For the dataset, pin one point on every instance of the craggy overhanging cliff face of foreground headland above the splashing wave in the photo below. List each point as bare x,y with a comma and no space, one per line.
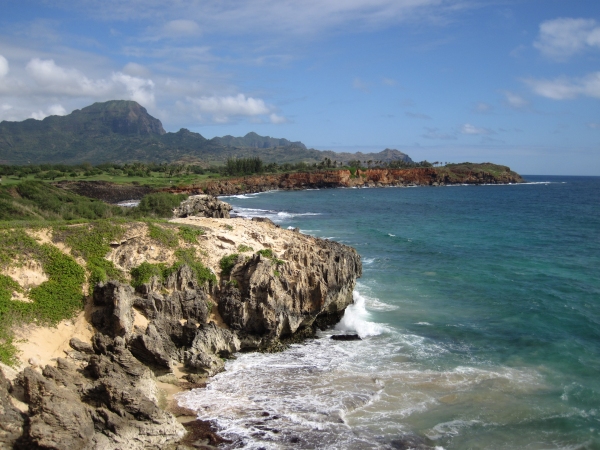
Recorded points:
279,297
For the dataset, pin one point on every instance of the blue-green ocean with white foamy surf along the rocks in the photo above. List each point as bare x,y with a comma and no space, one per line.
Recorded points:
479,312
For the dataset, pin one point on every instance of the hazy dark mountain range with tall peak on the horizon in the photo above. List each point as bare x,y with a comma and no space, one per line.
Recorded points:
123,131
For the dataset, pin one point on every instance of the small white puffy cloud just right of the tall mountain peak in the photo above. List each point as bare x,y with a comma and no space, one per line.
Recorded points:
224,108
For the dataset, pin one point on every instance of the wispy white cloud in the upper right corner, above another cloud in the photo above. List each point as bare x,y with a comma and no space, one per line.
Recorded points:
559,39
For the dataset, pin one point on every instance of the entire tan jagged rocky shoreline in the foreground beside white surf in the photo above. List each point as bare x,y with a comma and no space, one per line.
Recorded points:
104,393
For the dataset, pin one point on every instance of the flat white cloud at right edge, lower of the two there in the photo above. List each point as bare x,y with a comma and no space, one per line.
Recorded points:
564,88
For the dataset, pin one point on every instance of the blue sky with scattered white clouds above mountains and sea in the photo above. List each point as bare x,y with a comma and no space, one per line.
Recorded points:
515,82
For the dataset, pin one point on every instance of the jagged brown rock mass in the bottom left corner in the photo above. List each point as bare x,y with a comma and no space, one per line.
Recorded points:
110,404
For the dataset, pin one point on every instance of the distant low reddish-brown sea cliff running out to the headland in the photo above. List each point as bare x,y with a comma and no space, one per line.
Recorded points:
473,174
